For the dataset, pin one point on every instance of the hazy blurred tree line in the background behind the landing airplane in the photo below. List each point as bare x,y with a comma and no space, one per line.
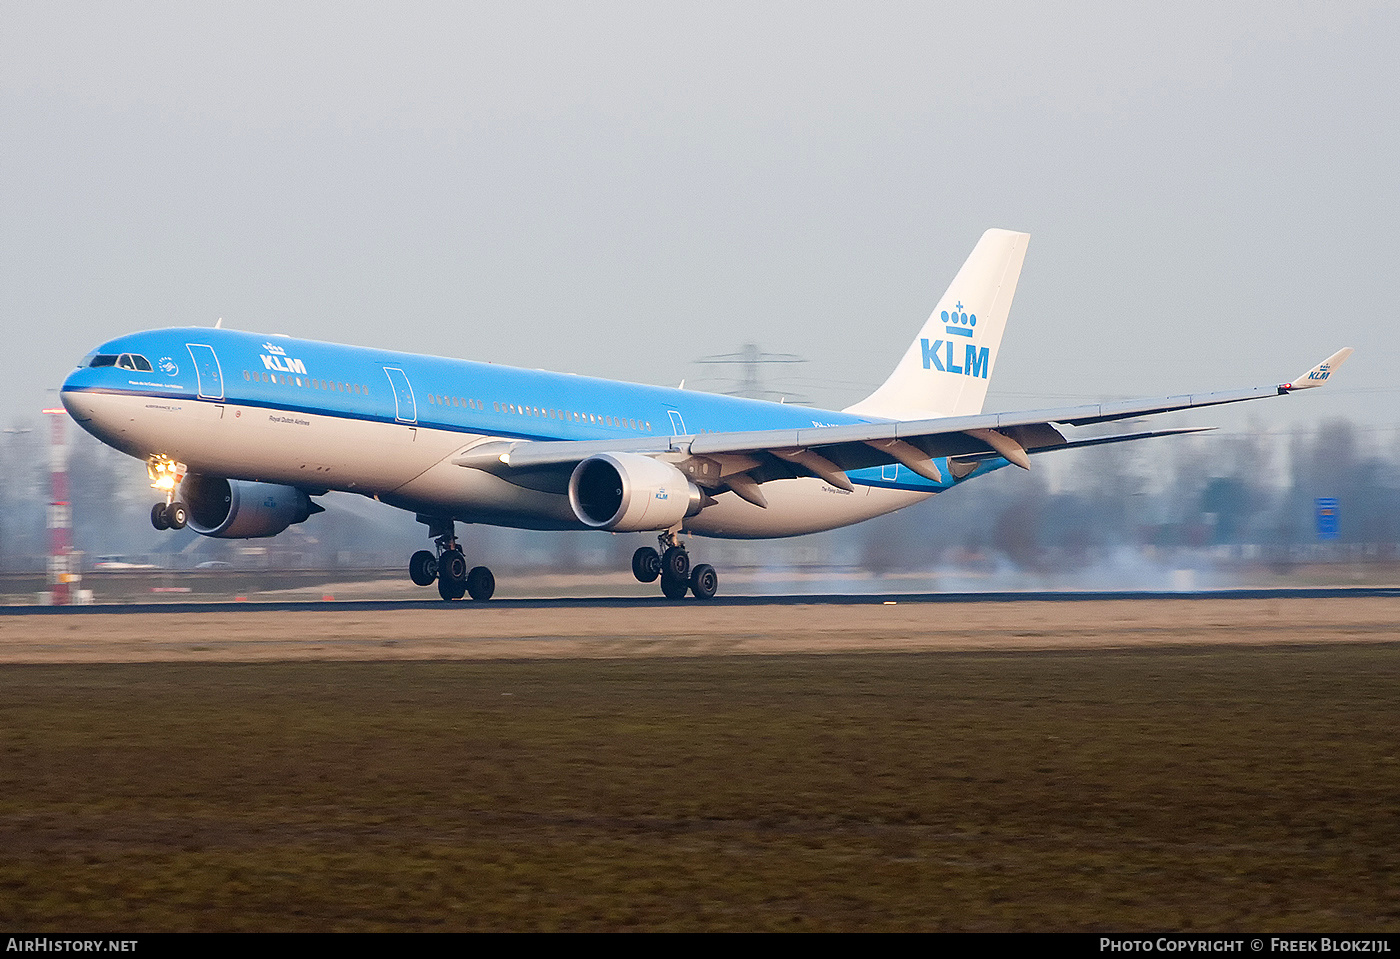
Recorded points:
1192,493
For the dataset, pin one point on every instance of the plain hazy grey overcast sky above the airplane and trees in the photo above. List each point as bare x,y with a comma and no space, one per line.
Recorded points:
618,190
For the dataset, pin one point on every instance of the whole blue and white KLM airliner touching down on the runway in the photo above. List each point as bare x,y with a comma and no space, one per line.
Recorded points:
243,430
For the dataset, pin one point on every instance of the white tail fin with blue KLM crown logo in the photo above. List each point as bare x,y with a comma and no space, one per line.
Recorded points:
947,369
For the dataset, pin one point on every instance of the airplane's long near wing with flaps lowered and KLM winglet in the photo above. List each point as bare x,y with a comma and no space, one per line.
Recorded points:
745,460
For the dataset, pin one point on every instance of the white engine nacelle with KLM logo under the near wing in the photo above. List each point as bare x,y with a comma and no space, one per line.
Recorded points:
626,492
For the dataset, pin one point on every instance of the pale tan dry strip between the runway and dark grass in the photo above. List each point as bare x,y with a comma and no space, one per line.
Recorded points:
477,632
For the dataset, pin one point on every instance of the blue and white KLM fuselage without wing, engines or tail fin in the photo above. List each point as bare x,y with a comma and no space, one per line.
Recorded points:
323,416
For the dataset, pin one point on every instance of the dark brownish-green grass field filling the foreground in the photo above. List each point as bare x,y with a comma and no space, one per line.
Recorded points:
1203,789
